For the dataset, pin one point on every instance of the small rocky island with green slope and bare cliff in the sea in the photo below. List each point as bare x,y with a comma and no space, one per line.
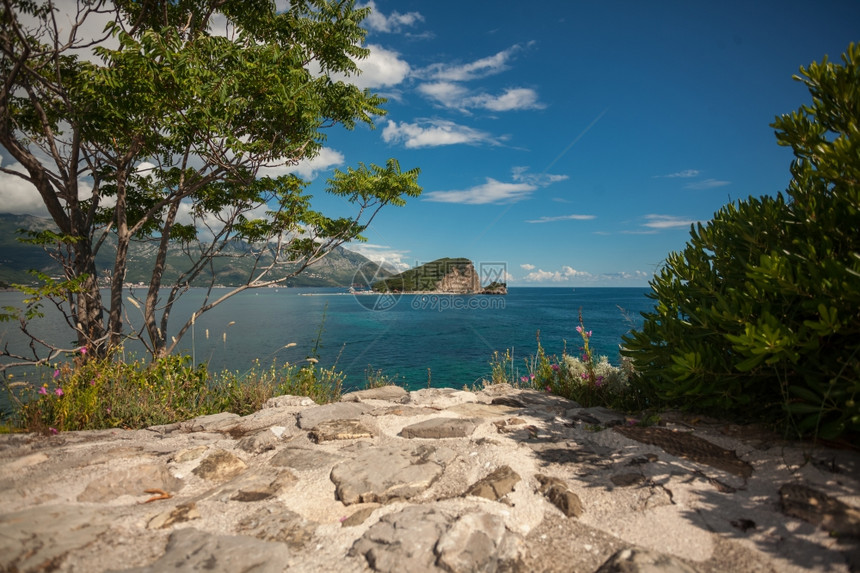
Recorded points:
442,276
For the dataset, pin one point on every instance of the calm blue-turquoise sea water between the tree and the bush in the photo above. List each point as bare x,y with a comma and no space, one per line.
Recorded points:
452,336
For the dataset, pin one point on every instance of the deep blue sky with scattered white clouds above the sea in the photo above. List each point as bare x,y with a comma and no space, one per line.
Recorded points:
573,143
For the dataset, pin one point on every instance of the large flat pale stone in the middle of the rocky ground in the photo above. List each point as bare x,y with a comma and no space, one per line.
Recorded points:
383,473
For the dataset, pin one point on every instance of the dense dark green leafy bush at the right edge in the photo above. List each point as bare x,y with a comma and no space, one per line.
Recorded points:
759,315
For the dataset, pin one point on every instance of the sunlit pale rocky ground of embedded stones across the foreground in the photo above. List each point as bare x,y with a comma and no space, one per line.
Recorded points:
432,480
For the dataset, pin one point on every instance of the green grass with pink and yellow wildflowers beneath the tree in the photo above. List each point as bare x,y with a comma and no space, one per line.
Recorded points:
89,394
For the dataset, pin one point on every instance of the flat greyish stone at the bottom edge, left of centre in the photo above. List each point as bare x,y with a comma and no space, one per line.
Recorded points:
191,550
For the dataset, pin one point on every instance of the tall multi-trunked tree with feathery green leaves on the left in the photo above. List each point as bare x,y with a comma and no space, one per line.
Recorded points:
160,130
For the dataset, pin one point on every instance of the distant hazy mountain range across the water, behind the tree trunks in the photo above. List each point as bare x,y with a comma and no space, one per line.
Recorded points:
341,267
